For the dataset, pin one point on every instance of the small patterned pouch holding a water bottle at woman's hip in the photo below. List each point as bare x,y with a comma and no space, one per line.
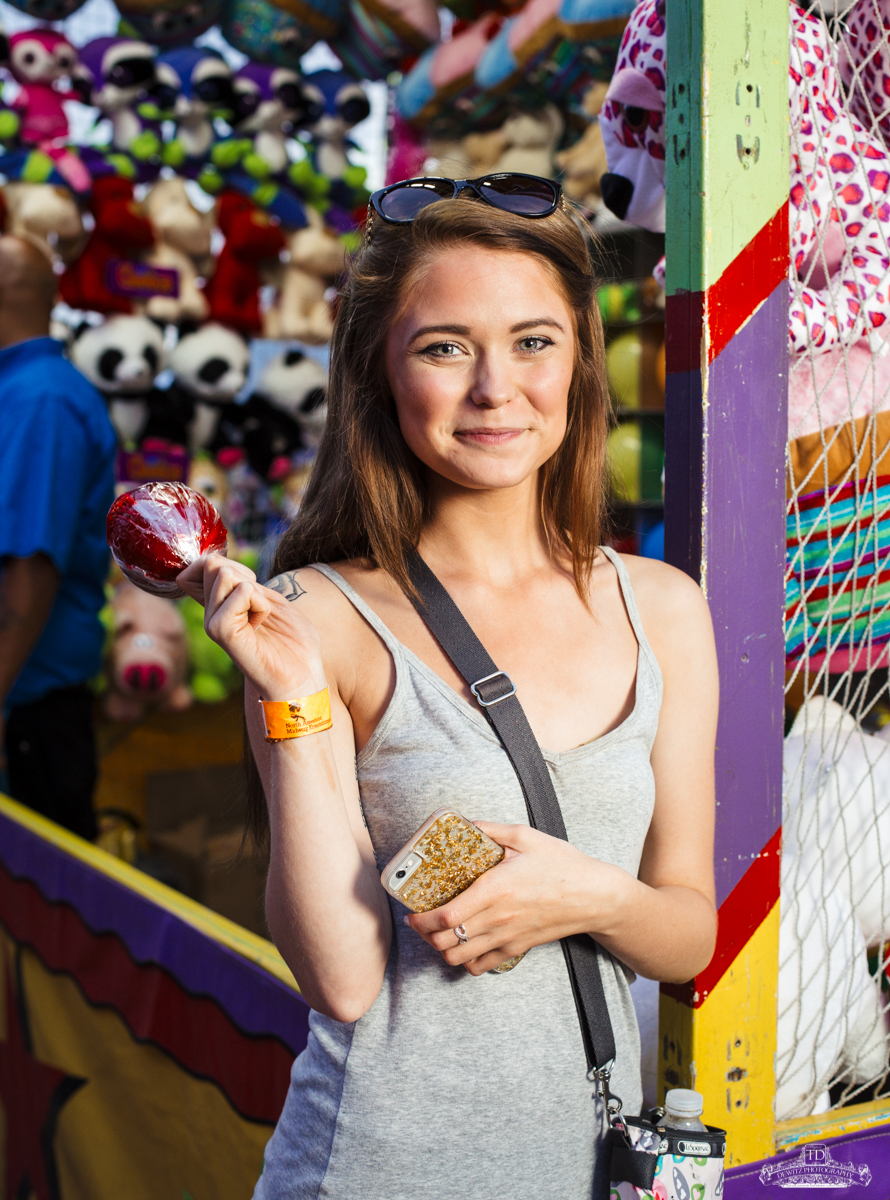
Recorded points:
688,1165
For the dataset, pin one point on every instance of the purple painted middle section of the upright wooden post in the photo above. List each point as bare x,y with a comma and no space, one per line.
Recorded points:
725,526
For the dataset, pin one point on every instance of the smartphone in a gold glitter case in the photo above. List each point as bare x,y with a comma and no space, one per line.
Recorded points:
440,862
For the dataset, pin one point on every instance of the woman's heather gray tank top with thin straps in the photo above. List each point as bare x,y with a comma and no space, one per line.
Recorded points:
454,1088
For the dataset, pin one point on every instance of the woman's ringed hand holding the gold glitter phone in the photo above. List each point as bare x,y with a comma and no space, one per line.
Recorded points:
544,890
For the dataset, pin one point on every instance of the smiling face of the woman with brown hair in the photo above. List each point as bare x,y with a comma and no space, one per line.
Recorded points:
480,363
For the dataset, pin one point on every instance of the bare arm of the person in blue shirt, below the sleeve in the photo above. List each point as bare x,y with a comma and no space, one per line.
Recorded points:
28,589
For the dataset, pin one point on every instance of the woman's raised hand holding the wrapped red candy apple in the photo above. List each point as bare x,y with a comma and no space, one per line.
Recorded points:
266,635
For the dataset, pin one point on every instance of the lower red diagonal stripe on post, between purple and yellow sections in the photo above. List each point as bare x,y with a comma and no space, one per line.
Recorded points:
739,917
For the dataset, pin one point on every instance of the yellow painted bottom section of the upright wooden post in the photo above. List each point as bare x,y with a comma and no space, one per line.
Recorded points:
727,1048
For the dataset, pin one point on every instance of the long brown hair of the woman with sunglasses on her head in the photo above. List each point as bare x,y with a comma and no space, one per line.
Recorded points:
369,495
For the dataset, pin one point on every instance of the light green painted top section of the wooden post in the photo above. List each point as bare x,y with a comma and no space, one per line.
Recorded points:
726,134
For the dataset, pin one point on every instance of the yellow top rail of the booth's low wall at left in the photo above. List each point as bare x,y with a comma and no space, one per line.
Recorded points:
257,950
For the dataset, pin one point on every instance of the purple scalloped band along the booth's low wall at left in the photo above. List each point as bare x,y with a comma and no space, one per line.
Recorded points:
256,1001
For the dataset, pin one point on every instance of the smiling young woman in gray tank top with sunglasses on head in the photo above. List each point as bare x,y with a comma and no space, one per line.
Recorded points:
468,418
